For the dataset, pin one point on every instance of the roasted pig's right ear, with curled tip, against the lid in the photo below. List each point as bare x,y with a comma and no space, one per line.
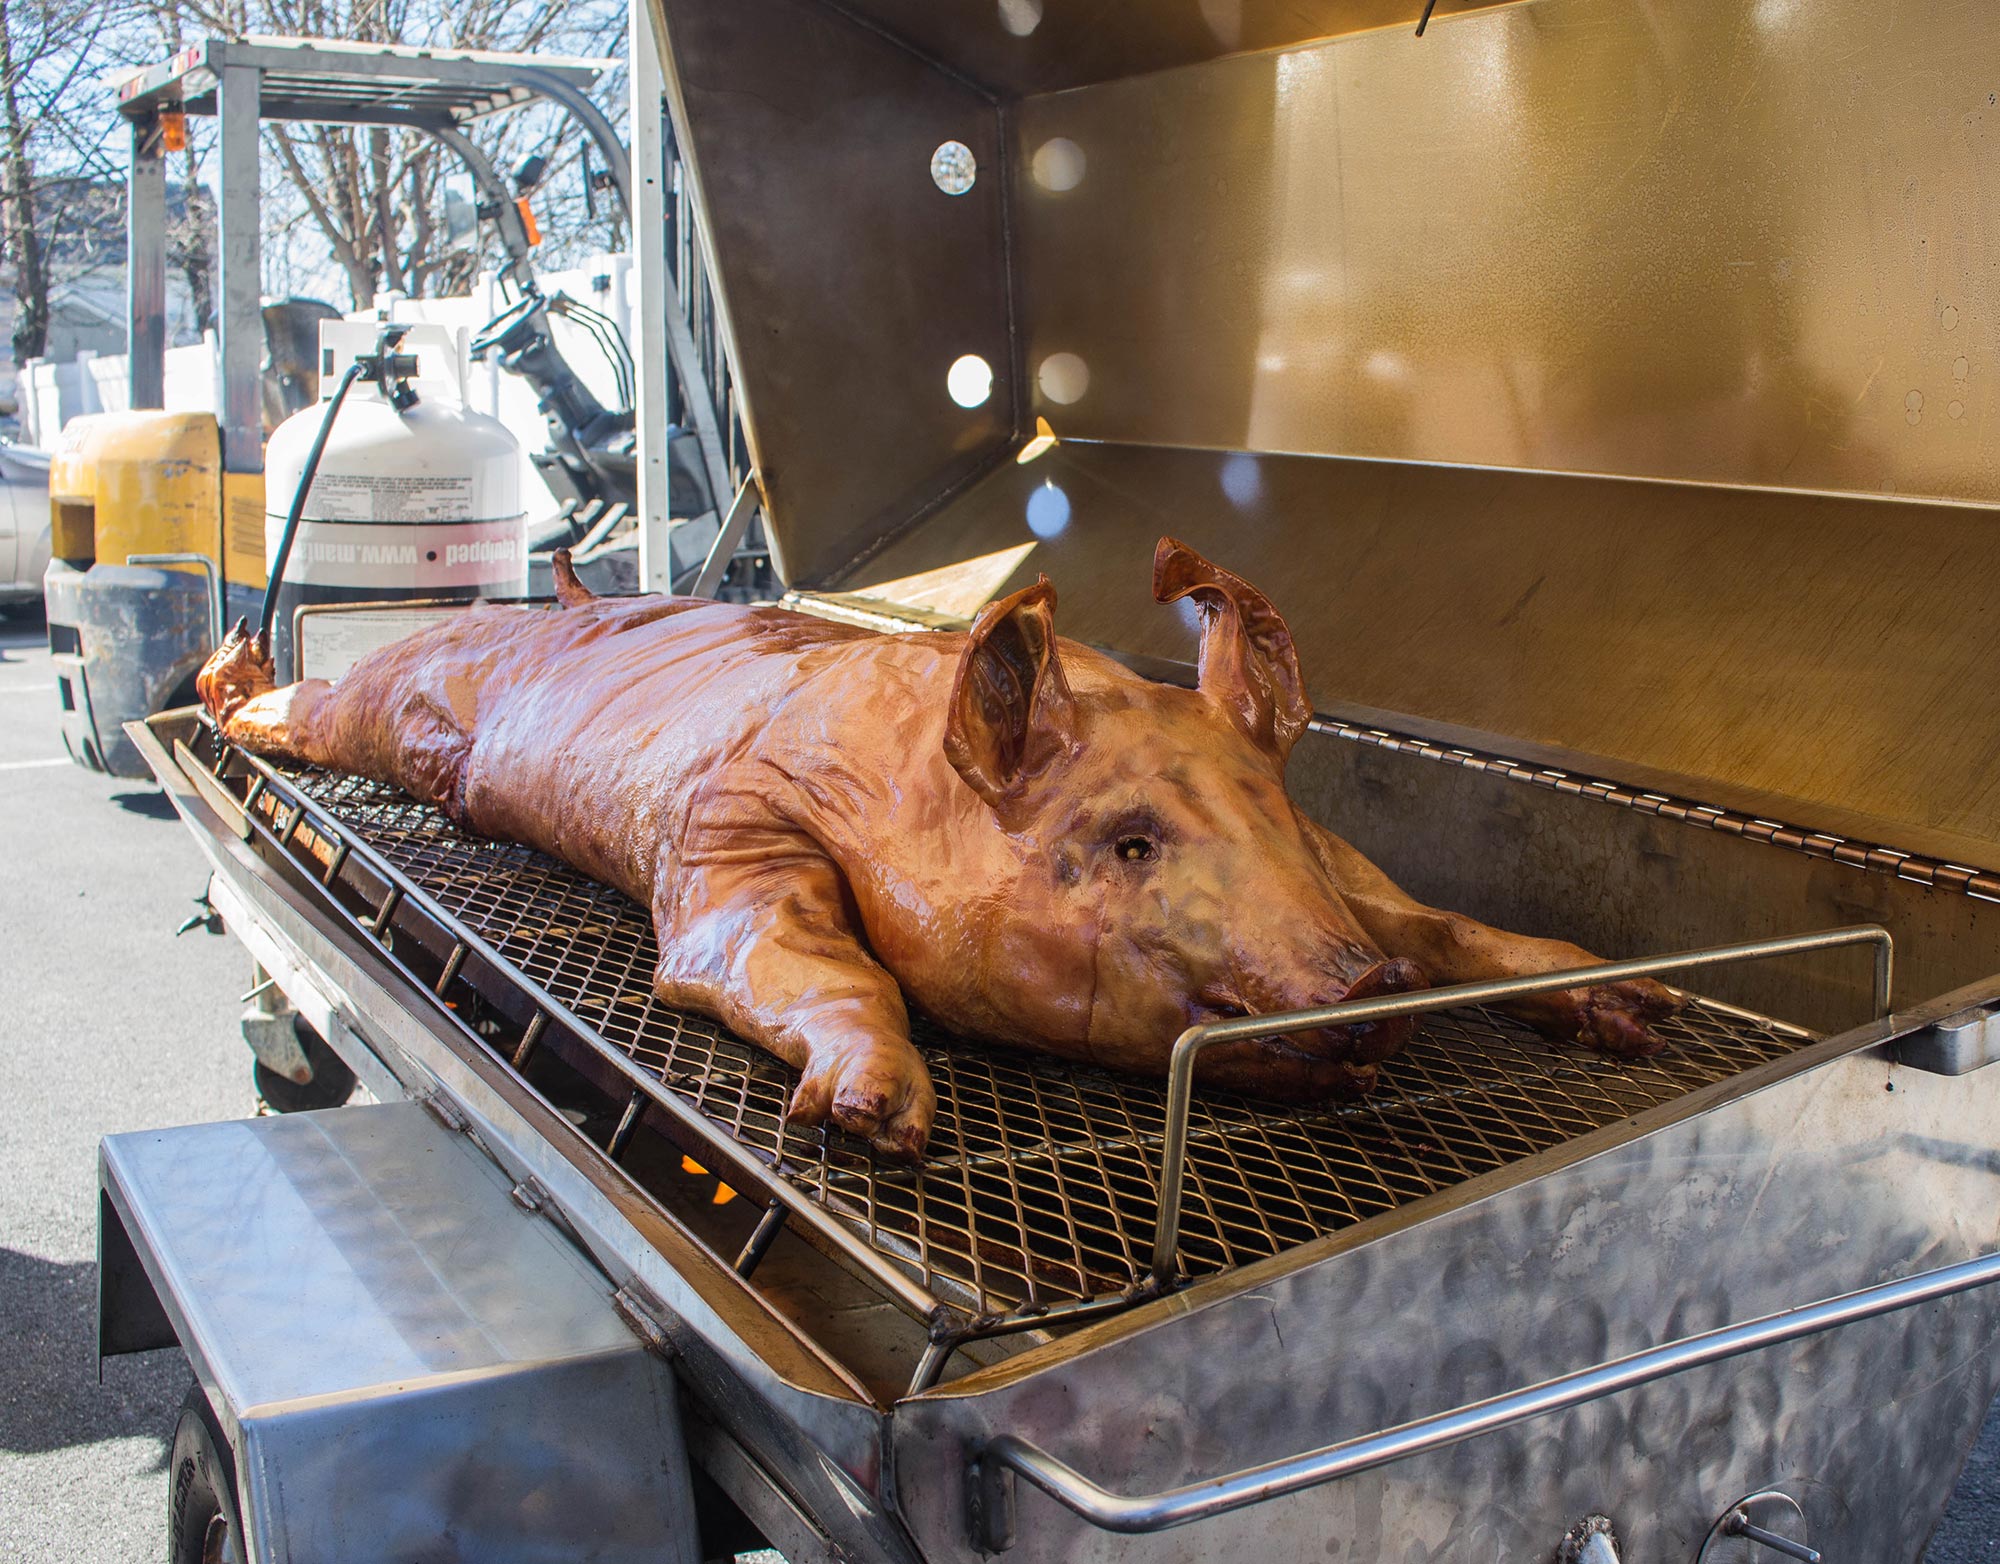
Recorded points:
1249,661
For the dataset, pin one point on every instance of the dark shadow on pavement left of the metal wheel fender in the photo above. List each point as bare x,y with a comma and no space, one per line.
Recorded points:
49,1377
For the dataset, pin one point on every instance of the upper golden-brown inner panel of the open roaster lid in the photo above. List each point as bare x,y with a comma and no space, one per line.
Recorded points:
1621,287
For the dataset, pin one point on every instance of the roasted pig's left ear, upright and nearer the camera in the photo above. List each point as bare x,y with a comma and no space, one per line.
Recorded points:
1011,707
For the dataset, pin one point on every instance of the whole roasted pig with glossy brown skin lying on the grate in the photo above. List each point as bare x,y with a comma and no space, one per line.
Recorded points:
1011,831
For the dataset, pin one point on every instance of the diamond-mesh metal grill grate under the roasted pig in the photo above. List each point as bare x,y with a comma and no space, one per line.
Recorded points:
1041,1181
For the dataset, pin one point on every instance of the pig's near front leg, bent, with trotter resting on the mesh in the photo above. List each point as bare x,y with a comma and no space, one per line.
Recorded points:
763,941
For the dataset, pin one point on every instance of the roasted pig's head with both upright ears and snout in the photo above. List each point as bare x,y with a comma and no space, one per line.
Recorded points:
1155,873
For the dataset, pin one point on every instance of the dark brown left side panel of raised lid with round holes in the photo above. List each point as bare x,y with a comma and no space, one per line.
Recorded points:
819,185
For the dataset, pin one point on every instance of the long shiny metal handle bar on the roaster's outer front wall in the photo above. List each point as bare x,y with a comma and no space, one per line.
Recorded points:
993,1501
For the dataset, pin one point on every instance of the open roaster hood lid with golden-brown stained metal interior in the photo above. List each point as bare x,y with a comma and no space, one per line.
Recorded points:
1585,381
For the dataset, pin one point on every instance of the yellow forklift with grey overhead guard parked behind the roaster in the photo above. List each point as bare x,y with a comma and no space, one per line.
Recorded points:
159,517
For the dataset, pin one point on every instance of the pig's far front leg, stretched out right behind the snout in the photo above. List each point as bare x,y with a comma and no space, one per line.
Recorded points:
1615,1019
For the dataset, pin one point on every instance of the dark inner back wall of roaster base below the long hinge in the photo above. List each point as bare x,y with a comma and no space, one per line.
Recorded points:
1557,849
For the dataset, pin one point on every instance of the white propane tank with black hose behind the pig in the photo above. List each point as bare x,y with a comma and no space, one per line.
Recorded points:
417,503
